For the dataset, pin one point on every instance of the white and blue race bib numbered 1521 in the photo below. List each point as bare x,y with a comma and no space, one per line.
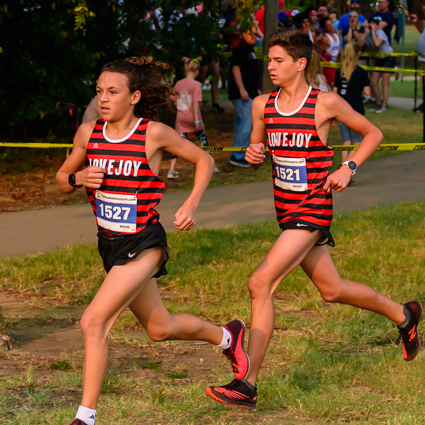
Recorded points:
290,173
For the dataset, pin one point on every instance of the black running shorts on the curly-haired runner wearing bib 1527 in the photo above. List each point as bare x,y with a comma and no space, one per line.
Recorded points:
118,250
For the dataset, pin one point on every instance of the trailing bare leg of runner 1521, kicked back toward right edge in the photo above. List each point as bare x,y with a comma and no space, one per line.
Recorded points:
319,267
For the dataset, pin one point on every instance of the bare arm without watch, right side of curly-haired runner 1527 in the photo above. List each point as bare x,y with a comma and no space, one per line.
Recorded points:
161,136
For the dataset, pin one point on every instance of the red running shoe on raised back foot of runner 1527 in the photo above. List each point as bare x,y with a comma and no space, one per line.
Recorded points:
236,352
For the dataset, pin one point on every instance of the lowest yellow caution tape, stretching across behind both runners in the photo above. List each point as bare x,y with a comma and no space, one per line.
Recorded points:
384,147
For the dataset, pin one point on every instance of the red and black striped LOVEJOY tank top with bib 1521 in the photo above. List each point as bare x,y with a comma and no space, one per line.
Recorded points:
300,162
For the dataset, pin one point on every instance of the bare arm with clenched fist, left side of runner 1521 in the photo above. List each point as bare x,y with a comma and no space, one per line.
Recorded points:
255,151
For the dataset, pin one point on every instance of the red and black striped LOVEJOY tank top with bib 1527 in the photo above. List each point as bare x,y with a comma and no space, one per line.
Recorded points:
130,191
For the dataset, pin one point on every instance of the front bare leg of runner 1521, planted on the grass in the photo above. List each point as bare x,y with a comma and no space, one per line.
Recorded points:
286,254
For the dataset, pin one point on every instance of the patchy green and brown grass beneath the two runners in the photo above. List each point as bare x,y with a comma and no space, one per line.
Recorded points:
326,363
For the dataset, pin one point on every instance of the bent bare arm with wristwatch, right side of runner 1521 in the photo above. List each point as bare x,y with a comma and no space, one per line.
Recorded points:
332,106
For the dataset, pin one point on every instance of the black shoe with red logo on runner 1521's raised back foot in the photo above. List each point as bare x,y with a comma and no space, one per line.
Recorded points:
410,334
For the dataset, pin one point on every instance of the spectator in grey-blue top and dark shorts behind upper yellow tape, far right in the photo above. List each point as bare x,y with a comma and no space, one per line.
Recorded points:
377,41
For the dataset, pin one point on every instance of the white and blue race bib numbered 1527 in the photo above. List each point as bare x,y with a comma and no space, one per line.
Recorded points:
116,212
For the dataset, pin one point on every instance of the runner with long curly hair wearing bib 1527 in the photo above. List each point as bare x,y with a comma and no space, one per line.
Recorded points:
124,150
